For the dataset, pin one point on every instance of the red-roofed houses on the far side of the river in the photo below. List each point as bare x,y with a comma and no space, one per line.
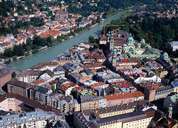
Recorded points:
63,23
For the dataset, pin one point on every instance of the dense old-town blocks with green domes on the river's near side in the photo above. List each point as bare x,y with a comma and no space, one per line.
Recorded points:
102,89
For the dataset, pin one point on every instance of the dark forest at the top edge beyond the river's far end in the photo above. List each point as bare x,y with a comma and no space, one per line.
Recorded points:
86,8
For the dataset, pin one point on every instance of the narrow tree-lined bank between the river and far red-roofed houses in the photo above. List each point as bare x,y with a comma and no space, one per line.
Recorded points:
53,42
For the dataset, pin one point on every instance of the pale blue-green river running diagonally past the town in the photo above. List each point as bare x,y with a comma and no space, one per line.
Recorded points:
54,51
